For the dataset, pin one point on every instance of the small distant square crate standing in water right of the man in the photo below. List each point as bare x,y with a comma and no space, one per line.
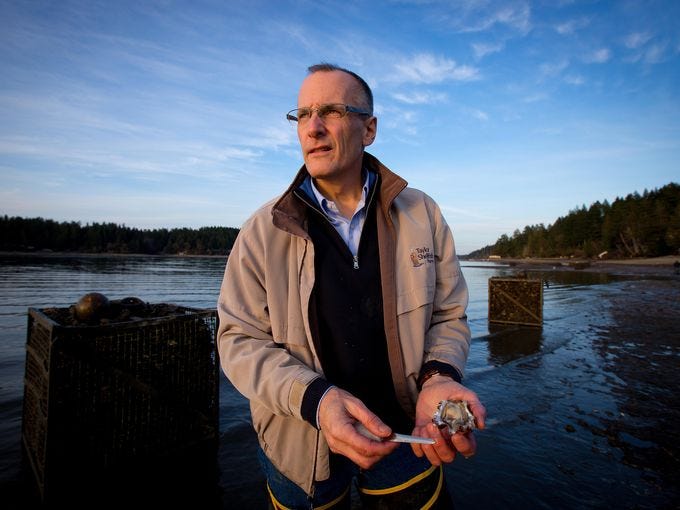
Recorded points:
516,301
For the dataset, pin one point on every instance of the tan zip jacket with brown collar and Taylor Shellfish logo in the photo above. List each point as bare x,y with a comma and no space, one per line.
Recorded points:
264,338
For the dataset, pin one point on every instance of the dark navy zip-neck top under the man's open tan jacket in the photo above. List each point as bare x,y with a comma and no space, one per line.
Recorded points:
347,314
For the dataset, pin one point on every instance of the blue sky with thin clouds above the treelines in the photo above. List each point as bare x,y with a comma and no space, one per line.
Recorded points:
170,114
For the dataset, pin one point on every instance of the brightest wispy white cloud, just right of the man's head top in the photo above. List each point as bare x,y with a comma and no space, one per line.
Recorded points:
428,69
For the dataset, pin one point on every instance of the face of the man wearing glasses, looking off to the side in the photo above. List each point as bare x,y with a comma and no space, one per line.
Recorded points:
333,148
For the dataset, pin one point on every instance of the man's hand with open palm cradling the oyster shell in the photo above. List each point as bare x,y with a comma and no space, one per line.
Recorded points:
436,389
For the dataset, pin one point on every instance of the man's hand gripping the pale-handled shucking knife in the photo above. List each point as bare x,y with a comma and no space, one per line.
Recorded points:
339,411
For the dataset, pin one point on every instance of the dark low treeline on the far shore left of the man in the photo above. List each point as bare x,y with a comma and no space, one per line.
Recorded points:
37,234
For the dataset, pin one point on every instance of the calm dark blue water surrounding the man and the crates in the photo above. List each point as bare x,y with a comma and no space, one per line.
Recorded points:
552,393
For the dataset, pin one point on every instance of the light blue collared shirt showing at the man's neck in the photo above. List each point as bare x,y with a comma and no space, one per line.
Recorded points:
349,229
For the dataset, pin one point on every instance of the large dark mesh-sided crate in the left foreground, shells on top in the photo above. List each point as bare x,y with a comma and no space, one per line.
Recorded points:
101,401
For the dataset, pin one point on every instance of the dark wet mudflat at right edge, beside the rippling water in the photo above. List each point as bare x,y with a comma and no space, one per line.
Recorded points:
642,349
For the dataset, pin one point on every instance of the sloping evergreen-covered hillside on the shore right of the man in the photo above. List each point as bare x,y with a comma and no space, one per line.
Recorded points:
646,225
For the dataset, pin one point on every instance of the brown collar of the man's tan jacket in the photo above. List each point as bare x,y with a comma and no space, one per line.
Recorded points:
289,214
